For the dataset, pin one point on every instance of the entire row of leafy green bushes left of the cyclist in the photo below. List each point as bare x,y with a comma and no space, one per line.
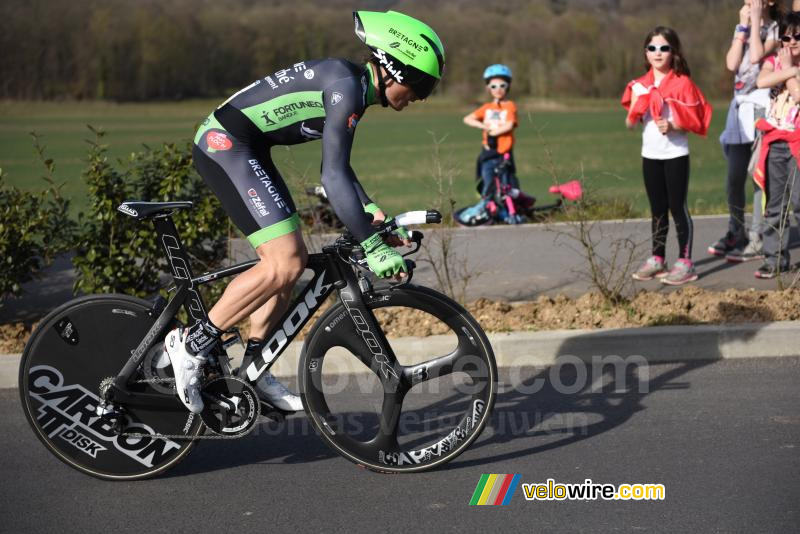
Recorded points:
114,253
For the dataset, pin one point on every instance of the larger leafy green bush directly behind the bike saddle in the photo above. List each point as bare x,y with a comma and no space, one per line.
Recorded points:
119,254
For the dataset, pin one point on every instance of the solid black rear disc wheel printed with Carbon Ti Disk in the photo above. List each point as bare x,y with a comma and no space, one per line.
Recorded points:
70,352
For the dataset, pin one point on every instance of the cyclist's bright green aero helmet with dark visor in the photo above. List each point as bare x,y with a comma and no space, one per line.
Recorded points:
408,49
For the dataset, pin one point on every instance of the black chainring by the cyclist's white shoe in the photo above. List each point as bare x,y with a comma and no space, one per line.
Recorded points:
230,406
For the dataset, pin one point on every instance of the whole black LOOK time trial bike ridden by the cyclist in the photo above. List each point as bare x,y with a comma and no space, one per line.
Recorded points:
96,390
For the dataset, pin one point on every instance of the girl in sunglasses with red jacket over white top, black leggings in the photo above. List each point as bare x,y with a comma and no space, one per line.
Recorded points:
669,105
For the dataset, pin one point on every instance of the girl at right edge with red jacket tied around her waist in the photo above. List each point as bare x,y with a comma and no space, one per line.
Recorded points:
777,168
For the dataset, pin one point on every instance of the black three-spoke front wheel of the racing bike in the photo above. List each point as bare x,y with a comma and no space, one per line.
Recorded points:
432,417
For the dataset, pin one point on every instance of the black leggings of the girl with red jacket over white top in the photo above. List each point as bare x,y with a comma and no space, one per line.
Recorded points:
667,185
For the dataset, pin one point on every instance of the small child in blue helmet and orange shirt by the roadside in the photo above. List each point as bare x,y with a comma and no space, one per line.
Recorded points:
497,119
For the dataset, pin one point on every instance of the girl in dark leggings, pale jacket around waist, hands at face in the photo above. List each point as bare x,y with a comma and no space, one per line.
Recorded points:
754,38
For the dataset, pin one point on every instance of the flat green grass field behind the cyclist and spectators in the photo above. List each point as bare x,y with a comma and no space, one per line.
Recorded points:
393,153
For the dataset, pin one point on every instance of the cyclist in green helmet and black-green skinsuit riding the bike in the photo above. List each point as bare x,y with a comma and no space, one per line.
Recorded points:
319,99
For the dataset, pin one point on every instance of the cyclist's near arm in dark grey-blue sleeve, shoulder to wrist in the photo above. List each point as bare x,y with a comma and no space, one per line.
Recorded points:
341,185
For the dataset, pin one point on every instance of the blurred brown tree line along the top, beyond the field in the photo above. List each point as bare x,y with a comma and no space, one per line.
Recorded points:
134,50
